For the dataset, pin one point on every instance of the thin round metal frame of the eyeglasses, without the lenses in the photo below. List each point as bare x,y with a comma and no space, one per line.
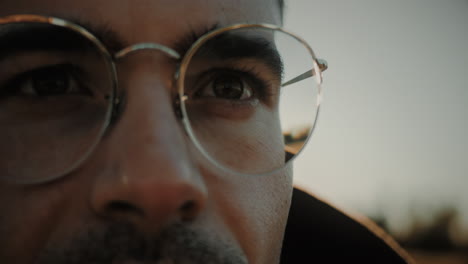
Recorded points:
319,66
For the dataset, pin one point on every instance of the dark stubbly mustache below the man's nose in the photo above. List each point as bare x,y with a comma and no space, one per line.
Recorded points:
122,242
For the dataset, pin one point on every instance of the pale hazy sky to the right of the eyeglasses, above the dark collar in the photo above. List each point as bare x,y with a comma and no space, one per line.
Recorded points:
392,134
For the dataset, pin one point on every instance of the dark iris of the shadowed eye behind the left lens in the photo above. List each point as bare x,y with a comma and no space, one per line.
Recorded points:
51,82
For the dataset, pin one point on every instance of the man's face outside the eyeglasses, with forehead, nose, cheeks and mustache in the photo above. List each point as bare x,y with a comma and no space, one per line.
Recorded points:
143,196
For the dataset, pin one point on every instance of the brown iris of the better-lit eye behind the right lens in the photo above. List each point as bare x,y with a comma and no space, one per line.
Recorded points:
228,87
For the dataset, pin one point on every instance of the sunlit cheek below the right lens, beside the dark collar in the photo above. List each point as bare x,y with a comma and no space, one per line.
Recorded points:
255,209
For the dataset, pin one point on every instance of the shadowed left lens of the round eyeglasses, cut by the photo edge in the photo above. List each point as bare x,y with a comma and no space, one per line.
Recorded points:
55,87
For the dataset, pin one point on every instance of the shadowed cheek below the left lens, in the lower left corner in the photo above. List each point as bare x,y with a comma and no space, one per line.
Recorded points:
32,215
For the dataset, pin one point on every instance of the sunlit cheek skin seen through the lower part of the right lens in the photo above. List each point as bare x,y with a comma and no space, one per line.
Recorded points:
251,146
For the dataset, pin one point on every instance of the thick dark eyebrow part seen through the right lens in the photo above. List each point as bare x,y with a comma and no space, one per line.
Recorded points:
229,46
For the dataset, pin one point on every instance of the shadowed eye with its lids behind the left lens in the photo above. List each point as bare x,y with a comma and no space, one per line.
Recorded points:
45,87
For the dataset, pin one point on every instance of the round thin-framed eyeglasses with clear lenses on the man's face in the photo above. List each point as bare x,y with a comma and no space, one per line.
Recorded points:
248,96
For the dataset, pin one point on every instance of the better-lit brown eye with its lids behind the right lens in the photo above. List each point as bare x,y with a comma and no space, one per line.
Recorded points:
231,90
